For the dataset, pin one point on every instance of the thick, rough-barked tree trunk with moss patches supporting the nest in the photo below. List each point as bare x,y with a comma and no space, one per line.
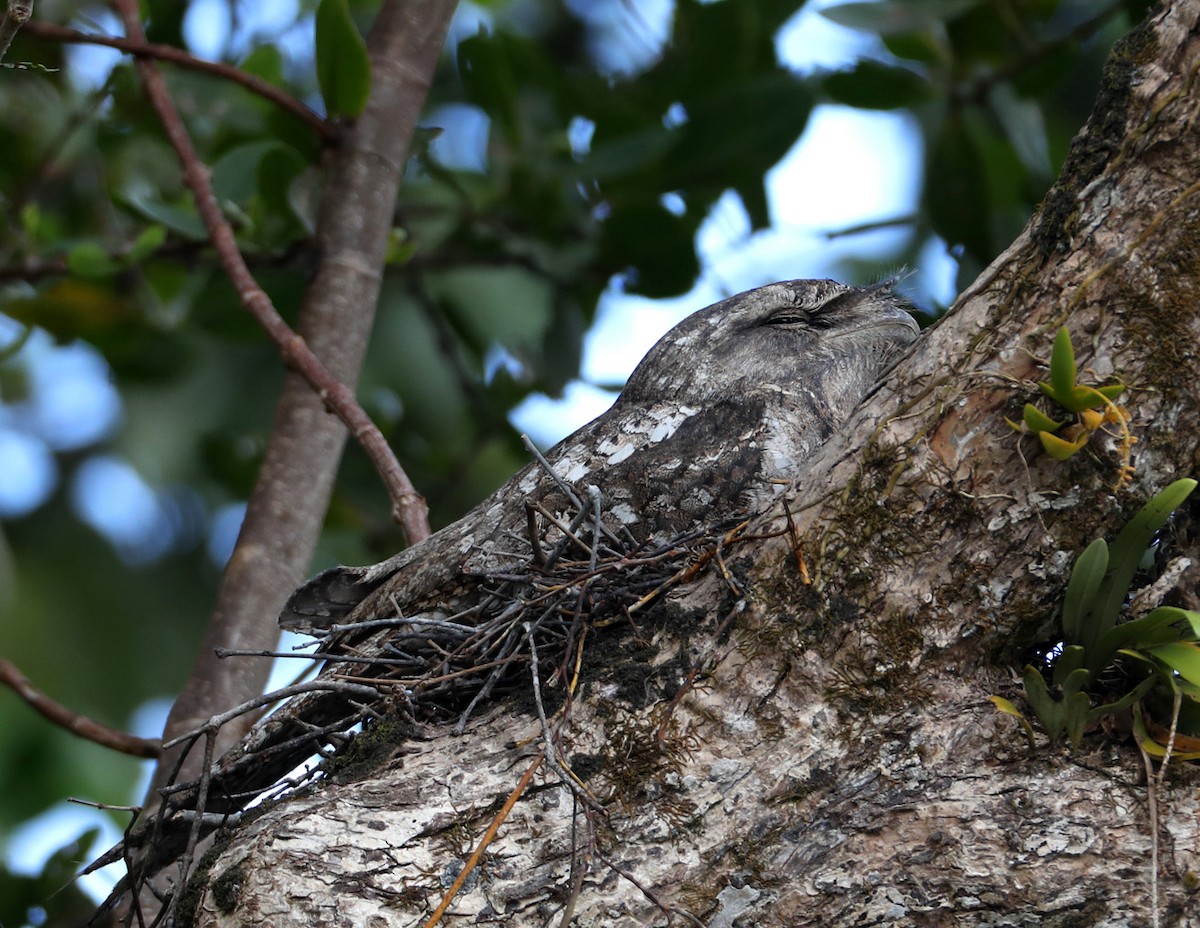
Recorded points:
838,763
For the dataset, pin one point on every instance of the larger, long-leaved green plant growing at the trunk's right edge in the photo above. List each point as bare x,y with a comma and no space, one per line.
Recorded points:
1165,642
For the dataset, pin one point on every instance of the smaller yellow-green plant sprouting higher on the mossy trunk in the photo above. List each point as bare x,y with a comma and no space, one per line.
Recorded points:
1093,408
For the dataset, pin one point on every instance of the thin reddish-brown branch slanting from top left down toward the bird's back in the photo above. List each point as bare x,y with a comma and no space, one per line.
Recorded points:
409,506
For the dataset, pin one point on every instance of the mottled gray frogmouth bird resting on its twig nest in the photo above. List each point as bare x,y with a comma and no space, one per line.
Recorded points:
734,398
